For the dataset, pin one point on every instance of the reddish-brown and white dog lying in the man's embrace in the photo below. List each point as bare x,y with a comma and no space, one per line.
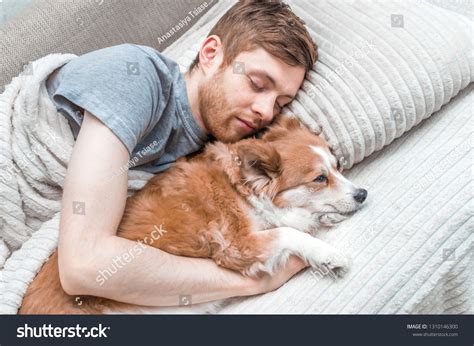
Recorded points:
224,204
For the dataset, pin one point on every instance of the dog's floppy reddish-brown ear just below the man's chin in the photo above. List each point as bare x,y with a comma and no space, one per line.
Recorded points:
260,165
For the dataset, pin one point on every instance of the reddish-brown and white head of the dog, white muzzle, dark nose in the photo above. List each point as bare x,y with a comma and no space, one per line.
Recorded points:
294,167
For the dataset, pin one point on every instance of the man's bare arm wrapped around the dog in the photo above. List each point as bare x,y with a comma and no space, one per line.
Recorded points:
93,205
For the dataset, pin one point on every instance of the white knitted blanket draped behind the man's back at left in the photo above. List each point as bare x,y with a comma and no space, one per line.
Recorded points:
35,145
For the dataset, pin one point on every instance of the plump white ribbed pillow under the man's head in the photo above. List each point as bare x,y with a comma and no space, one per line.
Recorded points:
383,67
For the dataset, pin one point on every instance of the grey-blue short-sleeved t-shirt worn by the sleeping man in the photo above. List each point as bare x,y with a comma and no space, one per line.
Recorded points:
139,94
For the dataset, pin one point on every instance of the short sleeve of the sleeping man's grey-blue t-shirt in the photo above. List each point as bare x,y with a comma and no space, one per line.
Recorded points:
123,86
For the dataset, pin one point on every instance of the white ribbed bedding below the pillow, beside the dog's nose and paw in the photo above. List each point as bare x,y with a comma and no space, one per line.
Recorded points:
412,244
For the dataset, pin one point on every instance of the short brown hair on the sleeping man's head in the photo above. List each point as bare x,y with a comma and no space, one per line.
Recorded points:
269,24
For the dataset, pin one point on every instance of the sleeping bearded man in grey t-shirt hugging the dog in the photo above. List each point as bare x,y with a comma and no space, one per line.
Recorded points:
135,109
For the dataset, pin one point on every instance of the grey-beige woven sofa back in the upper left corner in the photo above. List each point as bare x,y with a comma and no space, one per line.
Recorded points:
80,26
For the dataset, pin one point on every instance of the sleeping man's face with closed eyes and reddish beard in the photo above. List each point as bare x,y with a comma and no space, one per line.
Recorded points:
244,97
